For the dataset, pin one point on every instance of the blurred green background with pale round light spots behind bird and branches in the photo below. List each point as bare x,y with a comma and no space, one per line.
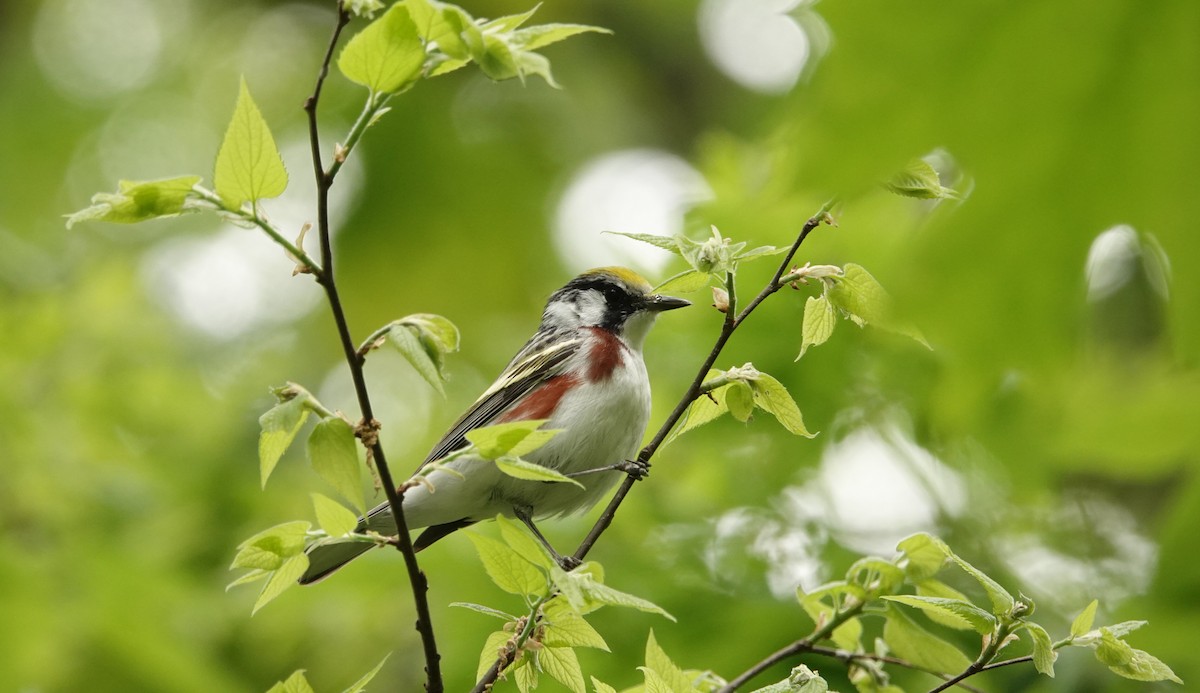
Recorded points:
1052,435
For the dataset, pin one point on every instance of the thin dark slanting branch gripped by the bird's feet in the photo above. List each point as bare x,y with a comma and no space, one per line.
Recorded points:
728,328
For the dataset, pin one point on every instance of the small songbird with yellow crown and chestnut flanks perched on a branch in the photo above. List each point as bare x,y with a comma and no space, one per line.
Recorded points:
584,372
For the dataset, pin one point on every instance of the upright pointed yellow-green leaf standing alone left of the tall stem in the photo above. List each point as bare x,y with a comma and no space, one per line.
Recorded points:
249,166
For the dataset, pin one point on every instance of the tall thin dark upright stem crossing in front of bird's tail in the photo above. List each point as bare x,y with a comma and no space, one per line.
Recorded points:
369,430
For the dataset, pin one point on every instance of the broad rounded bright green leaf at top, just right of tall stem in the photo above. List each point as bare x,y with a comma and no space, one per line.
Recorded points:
386,57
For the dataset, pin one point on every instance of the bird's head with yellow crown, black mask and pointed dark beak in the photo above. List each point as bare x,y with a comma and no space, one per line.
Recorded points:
615,299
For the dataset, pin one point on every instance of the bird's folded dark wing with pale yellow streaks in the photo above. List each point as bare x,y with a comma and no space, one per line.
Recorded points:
542,359
